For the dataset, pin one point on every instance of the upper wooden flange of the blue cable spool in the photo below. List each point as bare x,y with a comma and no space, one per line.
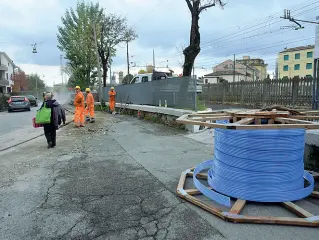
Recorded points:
253,119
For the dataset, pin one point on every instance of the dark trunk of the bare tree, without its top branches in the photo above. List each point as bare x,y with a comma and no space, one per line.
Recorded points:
193,49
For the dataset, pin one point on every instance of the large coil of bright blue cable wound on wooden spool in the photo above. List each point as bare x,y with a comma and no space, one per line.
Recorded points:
256,165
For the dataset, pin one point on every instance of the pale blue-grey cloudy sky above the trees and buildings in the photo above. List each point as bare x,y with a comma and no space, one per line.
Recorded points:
243,27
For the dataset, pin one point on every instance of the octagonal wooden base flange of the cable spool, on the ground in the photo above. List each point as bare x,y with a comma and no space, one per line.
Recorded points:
233,215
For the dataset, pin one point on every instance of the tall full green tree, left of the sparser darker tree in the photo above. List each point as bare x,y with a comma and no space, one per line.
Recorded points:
75,39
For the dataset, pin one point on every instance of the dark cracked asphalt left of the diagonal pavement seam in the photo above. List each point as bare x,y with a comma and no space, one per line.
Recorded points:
89,187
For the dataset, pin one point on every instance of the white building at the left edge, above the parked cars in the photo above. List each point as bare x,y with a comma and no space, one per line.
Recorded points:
6,71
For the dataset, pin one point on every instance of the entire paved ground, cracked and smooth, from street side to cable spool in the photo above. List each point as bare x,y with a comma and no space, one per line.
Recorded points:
115,179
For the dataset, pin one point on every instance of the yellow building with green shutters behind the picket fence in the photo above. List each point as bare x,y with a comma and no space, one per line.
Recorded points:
296,62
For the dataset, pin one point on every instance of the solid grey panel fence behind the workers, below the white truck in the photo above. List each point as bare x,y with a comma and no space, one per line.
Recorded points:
177,92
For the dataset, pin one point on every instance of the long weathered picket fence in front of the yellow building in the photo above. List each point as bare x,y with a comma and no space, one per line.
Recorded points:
287,92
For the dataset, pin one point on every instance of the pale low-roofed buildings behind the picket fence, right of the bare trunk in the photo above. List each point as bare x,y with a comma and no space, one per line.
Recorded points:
226,71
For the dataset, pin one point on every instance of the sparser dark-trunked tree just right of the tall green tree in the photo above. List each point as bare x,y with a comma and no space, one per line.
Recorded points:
112,30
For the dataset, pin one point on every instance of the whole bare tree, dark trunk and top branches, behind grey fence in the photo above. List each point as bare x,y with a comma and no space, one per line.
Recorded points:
196,7
